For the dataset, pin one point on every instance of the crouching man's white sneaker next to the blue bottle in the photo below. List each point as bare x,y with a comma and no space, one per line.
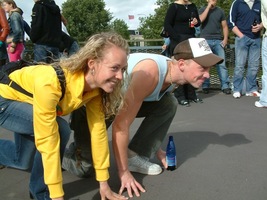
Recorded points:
142,165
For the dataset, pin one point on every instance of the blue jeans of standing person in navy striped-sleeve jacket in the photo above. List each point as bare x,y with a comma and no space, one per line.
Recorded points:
246,49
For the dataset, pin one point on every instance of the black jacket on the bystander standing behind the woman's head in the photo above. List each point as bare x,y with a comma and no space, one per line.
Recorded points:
46,23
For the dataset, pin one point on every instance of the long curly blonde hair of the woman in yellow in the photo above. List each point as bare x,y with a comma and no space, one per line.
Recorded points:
95,48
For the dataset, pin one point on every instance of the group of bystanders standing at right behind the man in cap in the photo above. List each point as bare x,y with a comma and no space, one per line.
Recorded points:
244,21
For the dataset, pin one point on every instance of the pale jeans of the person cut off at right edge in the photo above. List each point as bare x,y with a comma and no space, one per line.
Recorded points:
263,97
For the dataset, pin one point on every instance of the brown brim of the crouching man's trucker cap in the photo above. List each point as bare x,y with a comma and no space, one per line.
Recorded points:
208,60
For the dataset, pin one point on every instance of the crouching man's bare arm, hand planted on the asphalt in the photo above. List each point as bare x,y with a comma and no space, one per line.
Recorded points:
136,93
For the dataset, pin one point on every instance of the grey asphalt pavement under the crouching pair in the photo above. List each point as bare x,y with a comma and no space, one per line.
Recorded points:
221,147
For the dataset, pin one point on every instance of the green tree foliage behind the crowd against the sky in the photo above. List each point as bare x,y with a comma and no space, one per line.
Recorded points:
88,17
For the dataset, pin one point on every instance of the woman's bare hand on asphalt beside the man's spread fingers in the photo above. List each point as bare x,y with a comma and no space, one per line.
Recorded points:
107,193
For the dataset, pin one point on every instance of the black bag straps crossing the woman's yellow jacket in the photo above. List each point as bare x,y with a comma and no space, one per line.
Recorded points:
4,78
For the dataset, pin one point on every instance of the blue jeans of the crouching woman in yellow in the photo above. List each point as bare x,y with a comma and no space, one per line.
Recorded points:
21,153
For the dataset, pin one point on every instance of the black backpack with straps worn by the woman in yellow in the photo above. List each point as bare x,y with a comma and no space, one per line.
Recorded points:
10,67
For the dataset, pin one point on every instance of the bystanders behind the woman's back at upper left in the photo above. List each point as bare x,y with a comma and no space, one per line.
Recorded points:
47,32
